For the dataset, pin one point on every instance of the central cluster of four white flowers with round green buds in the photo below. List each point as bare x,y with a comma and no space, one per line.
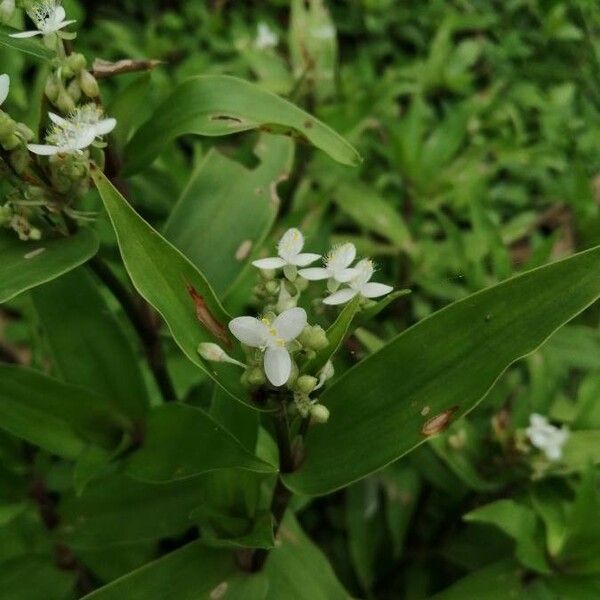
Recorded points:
281,343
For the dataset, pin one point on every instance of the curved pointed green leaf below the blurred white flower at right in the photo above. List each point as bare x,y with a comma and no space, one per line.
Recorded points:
520,523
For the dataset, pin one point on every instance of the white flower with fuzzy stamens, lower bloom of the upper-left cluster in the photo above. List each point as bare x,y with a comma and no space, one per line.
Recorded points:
76,133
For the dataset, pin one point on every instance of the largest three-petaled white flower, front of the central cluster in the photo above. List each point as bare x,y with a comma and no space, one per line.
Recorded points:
272,338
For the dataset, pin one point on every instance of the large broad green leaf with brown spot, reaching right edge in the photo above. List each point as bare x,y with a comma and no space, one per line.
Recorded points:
438,370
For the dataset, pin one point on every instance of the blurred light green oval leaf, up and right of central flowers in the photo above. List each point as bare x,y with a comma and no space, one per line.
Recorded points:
371,212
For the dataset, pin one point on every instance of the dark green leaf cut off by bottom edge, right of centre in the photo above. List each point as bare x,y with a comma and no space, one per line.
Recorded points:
497,581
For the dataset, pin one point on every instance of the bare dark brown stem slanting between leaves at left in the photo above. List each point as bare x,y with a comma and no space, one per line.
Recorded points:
142,319
